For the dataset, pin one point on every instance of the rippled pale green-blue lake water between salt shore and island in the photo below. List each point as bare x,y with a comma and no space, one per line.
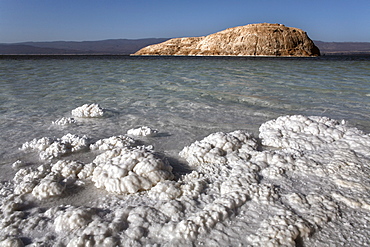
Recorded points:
179,95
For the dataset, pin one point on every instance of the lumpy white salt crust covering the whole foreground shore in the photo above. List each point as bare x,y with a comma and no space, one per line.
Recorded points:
291,185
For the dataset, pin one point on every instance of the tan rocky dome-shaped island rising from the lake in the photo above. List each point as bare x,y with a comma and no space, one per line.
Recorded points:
251,40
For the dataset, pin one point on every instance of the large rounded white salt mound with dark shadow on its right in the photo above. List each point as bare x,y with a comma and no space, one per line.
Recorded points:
128,170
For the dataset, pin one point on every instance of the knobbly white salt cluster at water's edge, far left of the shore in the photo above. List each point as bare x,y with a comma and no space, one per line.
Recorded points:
50,148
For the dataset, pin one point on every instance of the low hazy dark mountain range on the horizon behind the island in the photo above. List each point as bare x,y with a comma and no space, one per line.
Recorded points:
130,46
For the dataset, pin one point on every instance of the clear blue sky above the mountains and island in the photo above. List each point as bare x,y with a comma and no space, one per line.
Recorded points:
79,20
